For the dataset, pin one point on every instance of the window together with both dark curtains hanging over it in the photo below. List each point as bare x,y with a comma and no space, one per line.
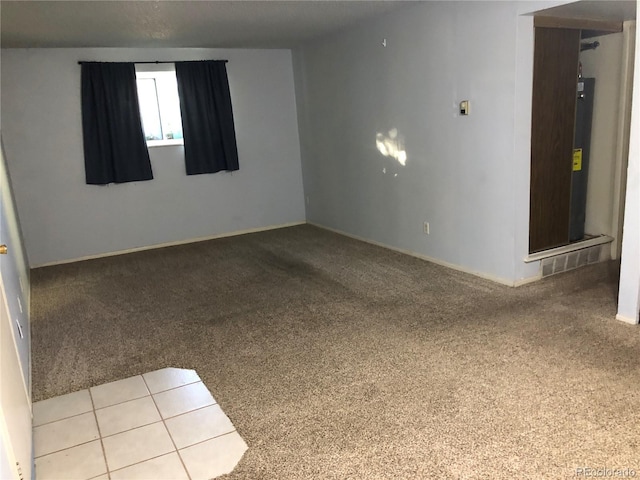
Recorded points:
116,139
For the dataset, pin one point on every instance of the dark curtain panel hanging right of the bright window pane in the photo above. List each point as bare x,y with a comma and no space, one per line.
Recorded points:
207,117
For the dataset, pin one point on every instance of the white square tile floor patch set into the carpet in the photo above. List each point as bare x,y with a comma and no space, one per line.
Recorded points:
162,425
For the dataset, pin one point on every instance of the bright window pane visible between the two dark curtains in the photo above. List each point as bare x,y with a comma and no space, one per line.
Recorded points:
159,104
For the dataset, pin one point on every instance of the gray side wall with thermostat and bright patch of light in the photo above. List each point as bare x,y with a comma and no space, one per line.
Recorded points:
467,176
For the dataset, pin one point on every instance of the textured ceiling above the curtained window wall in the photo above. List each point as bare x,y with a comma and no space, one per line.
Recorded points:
257,24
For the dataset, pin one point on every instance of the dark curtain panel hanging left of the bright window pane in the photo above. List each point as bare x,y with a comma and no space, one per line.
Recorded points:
115,150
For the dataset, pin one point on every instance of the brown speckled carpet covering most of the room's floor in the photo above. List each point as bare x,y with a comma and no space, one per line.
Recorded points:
338,359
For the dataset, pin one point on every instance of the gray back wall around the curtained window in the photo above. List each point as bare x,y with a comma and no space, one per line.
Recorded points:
63,218
